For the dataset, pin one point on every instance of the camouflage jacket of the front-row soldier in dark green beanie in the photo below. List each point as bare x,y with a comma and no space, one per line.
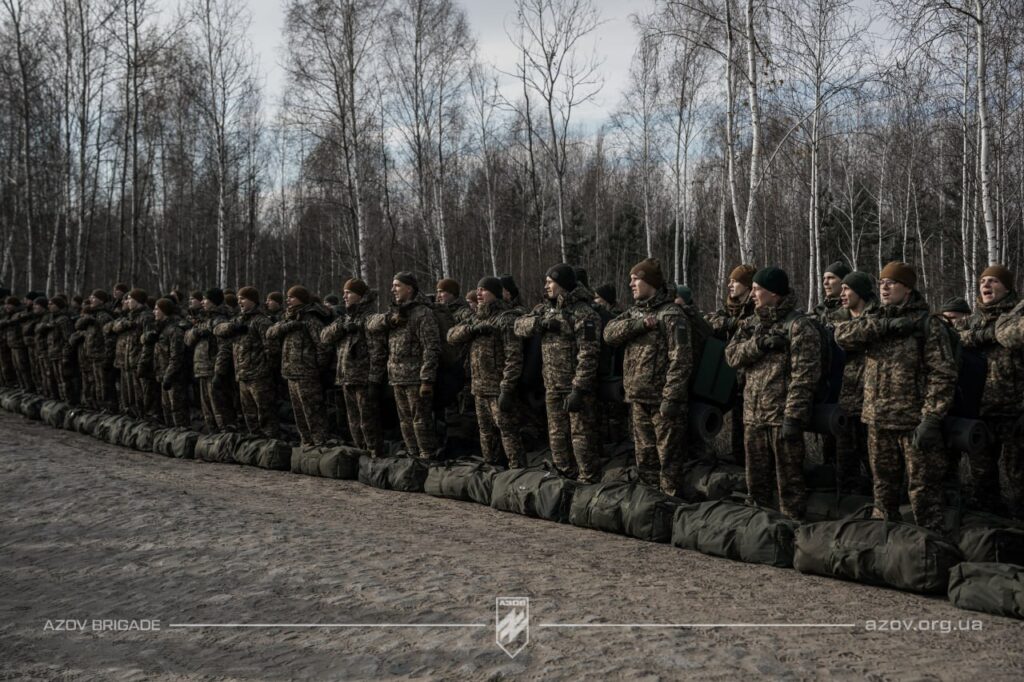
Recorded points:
780,385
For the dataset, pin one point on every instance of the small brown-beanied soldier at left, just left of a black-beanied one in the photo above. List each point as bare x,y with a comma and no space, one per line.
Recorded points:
169,361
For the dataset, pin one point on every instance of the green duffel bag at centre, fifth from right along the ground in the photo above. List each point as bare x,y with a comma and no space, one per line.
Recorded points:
537,492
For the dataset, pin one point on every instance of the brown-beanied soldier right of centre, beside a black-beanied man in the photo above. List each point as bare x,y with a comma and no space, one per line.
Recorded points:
657,375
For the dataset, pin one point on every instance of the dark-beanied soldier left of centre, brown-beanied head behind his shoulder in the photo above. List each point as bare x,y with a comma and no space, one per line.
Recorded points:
414,355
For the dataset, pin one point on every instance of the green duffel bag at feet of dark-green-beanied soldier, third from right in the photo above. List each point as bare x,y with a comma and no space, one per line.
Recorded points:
735,531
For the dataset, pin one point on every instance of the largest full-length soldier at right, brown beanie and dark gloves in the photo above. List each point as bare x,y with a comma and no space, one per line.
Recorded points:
910,379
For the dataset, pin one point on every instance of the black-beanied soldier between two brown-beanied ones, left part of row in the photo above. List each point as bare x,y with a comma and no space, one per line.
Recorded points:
216,397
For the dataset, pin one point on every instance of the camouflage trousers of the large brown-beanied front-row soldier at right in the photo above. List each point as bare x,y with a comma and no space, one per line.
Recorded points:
891,452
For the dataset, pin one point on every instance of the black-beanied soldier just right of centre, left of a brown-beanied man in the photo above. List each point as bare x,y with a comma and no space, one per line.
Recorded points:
570,331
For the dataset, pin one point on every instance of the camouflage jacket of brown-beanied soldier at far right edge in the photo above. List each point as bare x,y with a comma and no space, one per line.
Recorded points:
1005,379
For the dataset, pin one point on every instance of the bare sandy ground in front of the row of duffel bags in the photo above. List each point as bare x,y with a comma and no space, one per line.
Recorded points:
93,532
